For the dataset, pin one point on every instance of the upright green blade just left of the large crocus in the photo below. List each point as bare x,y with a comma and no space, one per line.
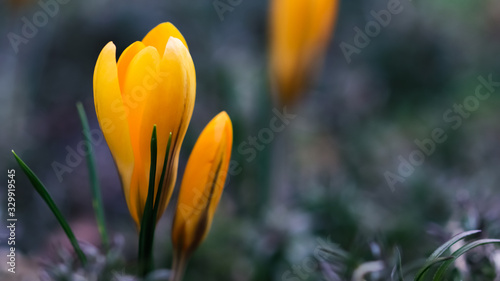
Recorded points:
94,182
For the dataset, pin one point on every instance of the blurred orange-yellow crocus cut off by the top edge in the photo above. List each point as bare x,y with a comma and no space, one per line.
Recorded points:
300,32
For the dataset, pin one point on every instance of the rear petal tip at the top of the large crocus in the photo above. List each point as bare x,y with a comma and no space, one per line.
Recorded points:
159,36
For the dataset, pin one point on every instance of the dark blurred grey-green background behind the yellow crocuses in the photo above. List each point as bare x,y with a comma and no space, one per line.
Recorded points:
321,178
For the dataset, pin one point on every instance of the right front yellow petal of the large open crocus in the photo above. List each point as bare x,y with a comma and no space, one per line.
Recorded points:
170,108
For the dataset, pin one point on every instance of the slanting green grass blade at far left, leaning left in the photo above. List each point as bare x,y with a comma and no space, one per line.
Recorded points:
40,188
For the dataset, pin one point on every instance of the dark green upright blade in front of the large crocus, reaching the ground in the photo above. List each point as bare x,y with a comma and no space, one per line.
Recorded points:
145,236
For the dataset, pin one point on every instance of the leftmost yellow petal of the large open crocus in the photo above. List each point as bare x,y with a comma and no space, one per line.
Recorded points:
111,114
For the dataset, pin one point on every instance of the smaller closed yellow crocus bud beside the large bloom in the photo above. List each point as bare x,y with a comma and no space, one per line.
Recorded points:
202,184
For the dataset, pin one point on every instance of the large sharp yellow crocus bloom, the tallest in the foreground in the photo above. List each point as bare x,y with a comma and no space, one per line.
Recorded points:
154,82
